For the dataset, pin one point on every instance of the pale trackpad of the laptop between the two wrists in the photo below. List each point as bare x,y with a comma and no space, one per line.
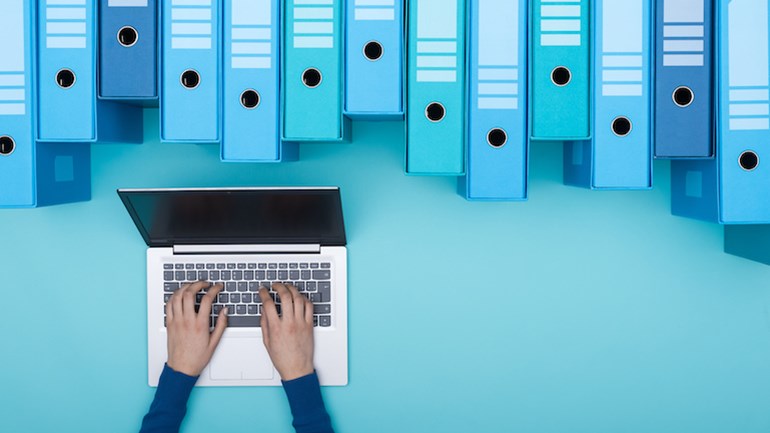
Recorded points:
241,358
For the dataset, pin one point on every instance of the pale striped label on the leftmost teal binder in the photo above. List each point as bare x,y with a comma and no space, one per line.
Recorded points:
313,24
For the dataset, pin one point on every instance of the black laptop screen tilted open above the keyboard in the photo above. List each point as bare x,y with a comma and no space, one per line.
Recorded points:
167,217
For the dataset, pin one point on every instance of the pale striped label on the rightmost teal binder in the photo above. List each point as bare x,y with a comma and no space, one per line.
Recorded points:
560,23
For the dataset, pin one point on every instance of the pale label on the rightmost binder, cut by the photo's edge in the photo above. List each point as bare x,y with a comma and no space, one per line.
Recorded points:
748,67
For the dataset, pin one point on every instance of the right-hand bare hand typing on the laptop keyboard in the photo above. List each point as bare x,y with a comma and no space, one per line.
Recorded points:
289,338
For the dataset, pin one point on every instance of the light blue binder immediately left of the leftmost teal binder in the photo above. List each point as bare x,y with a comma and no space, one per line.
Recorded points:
251,111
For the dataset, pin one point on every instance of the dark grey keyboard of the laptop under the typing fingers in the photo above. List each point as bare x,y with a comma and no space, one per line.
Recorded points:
242,282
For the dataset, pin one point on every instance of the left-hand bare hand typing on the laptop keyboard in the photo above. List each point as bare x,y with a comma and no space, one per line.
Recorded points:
190,343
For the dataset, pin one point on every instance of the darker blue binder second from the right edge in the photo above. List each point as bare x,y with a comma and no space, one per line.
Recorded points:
684,91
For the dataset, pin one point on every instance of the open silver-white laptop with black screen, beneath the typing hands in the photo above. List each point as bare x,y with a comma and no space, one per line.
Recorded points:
246,238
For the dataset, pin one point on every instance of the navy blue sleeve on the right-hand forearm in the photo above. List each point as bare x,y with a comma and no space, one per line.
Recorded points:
307,406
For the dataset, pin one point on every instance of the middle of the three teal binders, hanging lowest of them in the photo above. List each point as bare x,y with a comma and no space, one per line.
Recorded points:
435,118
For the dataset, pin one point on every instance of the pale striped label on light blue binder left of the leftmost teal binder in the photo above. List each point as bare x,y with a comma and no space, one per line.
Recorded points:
251,34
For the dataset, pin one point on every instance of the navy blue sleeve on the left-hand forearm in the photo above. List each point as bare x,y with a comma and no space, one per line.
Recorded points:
170,404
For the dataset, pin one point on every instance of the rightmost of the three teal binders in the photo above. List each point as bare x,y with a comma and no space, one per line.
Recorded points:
560,70
